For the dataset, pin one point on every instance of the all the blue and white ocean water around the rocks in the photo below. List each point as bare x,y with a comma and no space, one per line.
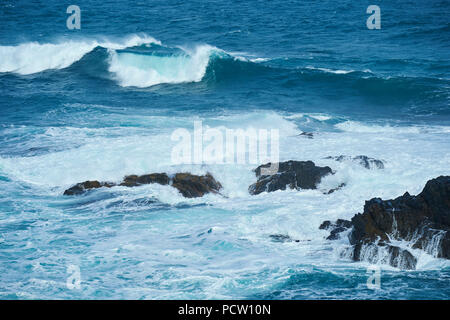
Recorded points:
102,102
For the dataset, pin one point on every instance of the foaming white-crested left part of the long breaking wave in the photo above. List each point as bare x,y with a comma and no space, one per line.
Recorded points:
139,62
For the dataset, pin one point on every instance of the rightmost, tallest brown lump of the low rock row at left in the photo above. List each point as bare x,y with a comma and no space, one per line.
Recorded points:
192,186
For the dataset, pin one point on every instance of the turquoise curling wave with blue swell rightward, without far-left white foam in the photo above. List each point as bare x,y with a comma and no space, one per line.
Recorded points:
146,67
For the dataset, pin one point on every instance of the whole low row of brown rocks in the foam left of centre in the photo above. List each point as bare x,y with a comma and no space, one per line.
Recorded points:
189,185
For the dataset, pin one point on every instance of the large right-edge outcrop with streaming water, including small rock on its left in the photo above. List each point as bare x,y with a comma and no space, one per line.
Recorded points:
423,221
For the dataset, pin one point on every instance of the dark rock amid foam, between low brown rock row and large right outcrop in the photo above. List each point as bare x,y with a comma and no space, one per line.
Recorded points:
291,174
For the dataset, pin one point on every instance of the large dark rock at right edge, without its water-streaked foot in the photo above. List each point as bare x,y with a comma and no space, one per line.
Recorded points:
419,218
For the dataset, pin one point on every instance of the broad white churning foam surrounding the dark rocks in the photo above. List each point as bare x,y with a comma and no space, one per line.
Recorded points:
294,213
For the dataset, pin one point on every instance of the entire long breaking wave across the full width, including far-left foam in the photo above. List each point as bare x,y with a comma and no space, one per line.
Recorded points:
142,62
